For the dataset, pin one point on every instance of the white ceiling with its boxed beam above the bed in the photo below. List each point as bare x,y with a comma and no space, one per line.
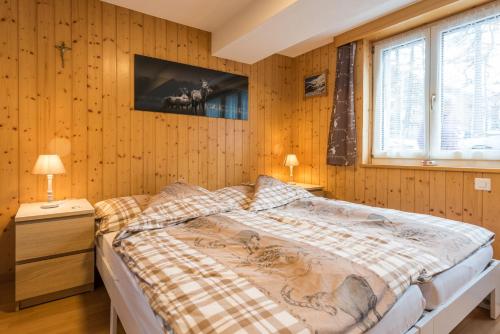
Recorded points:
250,30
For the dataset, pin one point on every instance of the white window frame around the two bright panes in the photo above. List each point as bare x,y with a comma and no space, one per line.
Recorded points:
432,34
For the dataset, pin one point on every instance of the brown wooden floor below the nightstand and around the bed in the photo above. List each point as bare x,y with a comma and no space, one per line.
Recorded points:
89,313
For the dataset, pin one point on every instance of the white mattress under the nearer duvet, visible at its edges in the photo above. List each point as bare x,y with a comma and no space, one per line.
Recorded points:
399,319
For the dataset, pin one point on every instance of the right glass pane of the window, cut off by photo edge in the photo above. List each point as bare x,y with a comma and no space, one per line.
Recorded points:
470,87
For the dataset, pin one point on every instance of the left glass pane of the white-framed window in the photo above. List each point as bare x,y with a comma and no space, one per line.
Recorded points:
401,101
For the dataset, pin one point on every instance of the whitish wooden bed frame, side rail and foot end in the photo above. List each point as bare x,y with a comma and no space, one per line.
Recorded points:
439,321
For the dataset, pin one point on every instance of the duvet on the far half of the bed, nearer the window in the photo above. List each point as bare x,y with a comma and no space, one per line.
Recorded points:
437,243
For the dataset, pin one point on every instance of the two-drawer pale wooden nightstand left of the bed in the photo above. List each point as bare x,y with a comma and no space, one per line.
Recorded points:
54,251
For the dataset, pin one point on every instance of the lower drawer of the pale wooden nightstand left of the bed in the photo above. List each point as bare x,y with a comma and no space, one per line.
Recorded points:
47,276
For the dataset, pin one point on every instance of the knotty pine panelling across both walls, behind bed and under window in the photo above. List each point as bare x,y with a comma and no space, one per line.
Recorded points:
84,113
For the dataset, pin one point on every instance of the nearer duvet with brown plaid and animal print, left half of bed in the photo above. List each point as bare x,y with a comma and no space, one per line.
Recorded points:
236,272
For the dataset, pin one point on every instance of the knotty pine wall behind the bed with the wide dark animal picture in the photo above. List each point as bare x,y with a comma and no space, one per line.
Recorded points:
84,111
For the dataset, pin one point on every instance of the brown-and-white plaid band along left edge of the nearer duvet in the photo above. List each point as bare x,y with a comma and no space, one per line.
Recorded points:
193,293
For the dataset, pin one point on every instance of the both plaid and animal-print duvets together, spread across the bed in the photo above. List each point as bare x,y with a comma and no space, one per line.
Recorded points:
310,266
